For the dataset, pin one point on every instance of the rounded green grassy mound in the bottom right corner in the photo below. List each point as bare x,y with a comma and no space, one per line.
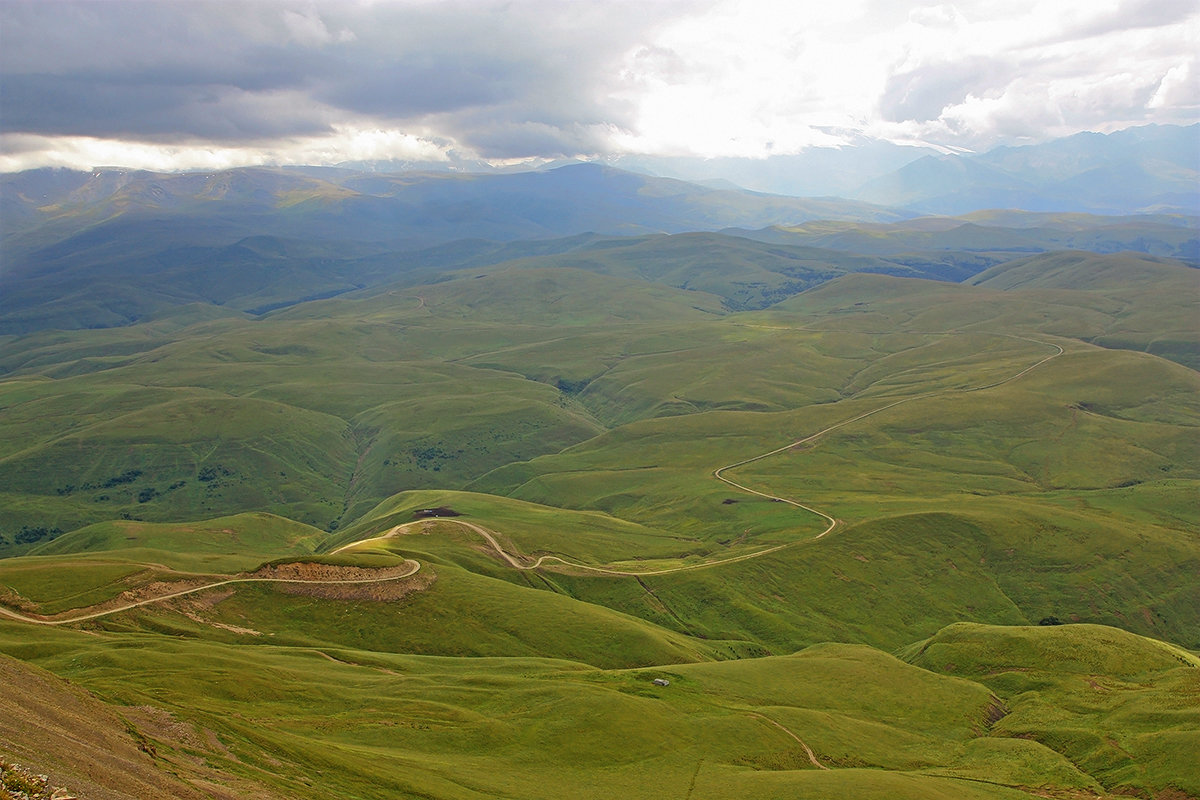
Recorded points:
1126,707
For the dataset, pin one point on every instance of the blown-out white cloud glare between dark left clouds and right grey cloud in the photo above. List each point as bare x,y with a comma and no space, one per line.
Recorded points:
747,79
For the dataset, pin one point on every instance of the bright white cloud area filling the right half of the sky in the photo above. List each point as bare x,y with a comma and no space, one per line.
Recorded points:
755,77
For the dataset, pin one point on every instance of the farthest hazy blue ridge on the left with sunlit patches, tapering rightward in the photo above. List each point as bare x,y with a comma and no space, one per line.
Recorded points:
413,208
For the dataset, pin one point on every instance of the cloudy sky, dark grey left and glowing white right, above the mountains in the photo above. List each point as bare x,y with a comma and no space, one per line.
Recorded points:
202,86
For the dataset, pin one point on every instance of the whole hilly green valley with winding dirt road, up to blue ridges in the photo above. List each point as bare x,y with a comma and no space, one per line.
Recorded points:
898,507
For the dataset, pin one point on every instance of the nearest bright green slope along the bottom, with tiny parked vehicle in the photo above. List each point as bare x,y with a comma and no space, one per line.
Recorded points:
1106,712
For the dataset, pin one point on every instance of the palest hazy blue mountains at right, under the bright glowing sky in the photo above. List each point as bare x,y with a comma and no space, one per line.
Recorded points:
1148,170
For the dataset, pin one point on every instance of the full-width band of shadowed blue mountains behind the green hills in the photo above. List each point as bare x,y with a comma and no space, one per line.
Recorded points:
113,246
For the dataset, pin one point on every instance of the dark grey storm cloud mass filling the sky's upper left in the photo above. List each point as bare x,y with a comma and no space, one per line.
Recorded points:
242,73
